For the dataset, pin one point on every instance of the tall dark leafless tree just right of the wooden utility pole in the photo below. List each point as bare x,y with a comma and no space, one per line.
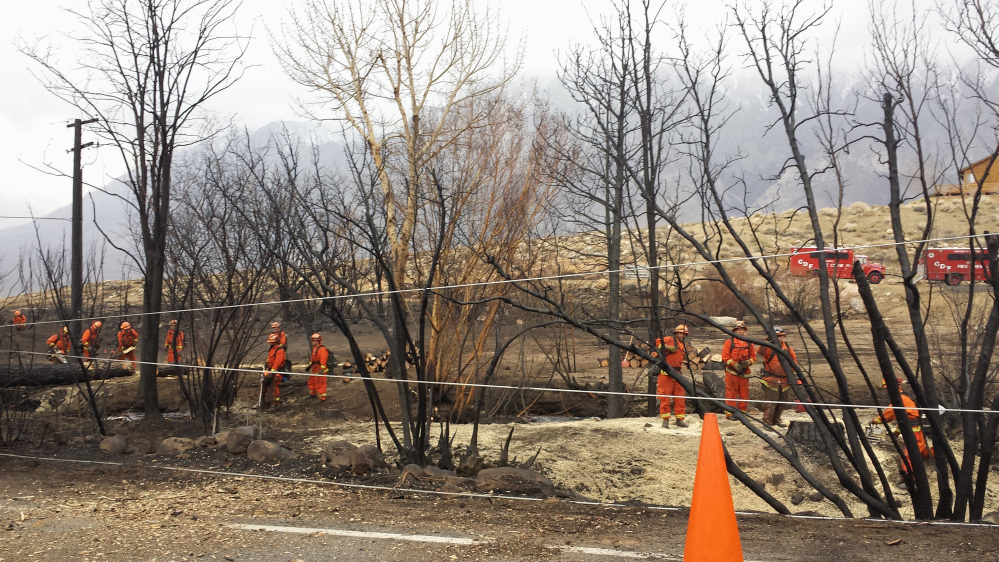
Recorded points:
145,69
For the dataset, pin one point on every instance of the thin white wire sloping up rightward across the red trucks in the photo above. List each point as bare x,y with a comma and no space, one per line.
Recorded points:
563,276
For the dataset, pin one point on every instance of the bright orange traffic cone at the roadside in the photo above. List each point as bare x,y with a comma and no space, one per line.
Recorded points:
712,532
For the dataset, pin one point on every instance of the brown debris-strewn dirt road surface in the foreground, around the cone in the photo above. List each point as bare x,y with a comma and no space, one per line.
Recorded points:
89,513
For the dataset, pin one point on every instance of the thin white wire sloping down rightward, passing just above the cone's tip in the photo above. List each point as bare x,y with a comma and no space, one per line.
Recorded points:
248,370
